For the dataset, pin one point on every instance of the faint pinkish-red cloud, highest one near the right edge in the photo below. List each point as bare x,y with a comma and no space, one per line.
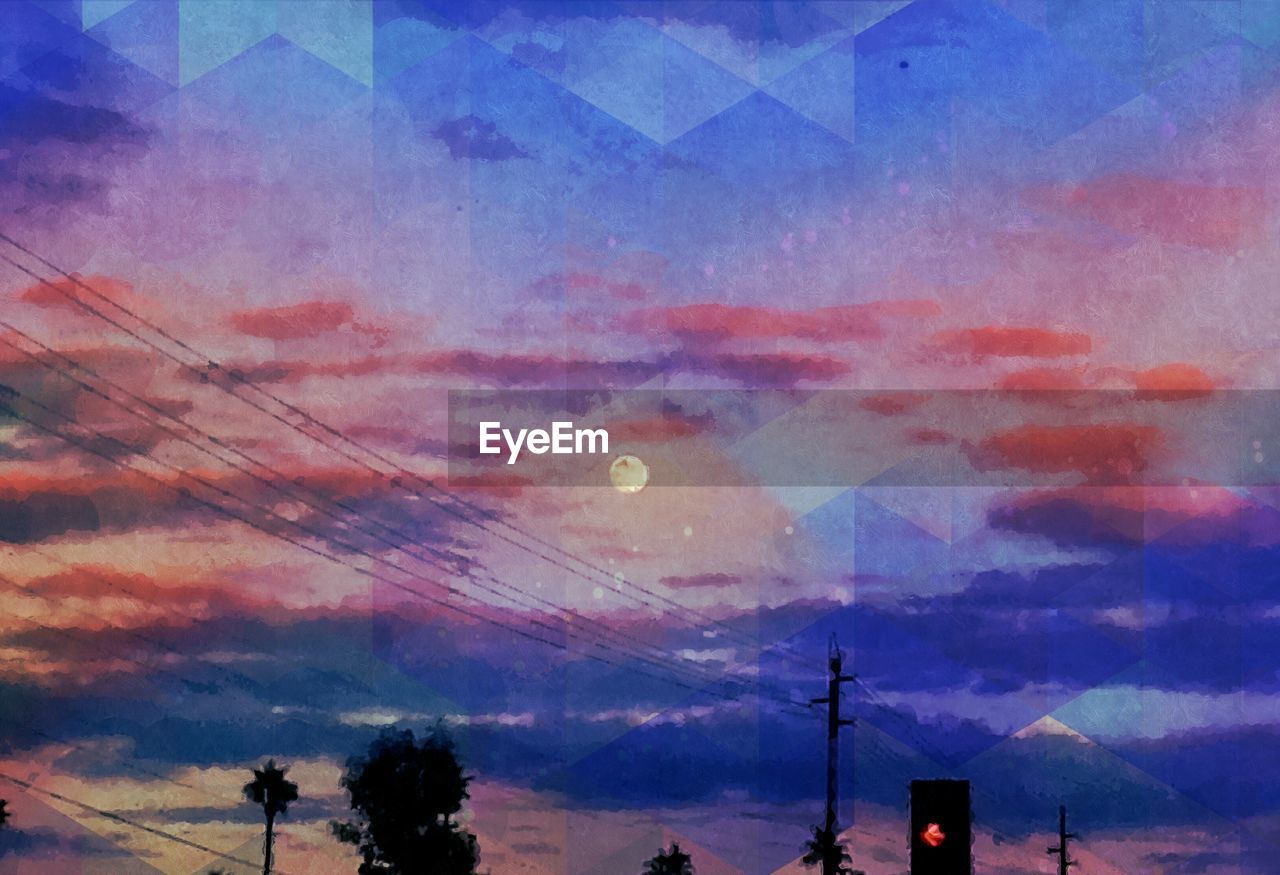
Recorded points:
1205,217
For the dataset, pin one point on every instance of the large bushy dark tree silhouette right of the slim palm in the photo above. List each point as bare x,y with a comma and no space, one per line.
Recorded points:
406,792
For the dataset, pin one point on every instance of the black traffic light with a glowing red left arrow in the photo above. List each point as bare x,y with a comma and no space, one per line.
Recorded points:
941,828
